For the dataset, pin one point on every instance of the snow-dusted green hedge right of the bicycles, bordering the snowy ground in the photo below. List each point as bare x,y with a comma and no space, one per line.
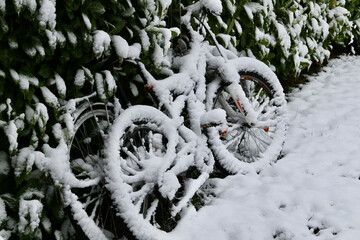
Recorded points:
289,35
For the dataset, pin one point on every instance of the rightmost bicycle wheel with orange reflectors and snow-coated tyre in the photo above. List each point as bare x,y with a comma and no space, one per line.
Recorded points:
242,143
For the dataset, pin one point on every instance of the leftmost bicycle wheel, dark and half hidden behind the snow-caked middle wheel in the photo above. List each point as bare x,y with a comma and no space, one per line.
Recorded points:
90,209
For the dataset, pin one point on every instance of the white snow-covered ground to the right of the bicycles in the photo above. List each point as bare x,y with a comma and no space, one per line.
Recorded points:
313,192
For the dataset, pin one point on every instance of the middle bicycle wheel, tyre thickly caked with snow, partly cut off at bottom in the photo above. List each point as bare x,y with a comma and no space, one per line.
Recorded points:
141,150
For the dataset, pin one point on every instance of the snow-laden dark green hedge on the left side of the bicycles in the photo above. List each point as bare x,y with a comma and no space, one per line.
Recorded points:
50,53
